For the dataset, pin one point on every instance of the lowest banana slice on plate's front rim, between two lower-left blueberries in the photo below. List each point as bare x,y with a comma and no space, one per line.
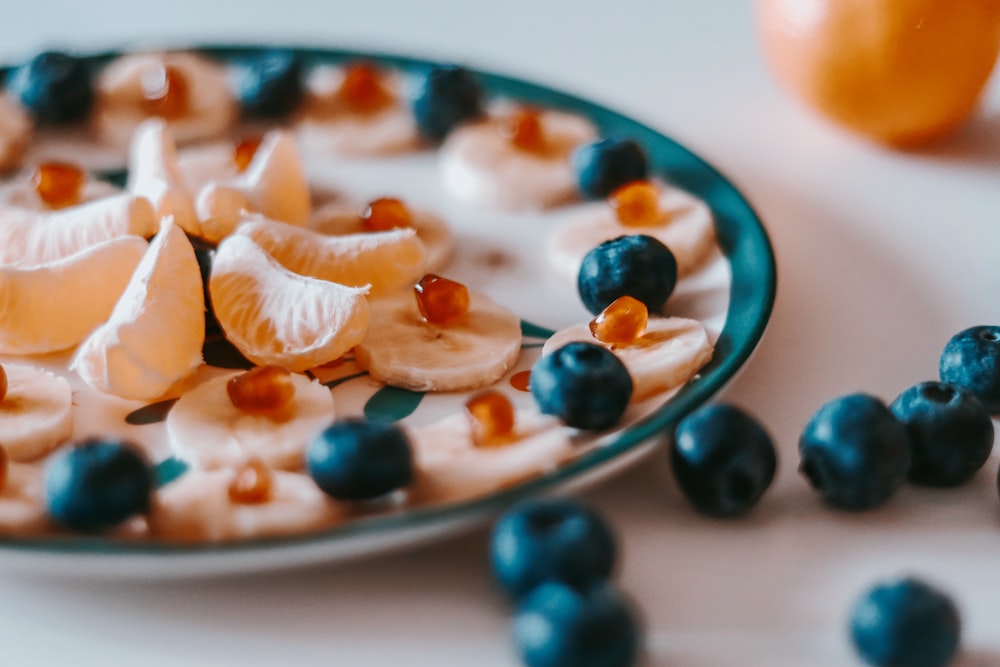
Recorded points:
197,508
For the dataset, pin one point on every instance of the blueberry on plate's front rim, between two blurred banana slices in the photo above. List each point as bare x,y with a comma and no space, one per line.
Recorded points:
358,459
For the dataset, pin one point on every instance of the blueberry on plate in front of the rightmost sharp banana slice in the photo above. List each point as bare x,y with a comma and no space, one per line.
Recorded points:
583,384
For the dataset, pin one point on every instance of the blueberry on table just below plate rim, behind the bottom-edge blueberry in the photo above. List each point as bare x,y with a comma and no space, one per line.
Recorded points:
551,539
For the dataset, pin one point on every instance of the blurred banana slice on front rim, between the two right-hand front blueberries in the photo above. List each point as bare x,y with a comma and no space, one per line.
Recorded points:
448,466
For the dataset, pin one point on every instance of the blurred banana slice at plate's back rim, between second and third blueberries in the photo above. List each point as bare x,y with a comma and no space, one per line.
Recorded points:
328,124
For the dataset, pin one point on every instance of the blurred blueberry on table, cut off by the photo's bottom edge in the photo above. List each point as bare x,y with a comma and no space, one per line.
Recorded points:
557,625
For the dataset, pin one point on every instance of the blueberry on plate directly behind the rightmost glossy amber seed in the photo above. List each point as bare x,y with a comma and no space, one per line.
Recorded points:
638,266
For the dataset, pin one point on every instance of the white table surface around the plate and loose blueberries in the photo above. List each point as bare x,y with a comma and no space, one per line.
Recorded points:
881,256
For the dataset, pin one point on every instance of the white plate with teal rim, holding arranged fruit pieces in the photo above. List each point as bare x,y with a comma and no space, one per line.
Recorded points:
274,306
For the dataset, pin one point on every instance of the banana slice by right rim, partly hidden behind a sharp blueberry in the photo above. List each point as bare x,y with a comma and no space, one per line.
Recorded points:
669,354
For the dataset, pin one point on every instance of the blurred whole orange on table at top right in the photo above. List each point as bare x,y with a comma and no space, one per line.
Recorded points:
903,72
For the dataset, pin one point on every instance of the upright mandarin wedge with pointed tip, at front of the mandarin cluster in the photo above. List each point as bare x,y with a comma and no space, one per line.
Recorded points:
156,331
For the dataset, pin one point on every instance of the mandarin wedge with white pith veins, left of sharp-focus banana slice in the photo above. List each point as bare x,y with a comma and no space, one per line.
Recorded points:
274,316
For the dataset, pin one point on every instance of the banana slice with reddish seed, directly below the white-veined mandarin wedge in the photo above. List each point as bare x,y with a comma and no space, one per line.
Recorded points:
207,431
